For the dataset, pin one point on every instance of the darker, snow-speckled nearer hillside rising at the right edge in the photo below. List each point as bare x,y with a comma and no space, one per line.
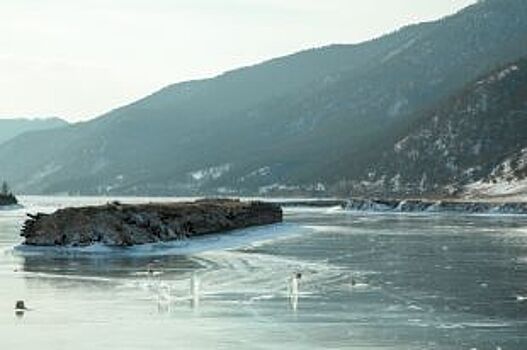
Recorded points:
474,142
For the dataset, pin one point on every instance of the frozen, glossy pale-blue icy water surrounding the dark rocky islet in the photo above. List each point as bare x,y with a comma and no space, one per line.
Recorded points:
369,281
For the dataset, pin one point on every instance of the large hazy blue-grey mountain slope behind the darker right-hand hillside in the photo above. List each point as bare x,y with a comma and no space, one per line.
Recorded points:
315,121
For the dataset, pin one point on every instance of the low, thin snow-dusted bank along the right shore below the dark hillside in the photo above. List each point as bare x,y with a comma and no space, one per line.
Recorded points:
423,205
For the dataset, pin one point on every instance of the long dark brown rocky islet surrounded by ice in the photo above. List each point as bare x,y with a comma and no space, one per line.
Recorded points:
117,224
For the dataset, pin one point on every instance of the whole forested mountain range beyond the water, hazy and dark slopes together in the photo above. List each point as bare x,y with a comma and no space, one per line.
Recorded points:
433,109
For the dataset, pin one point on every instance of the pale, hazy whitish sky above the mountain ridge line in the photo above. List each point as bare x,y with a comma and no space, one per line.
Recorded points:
77,59
